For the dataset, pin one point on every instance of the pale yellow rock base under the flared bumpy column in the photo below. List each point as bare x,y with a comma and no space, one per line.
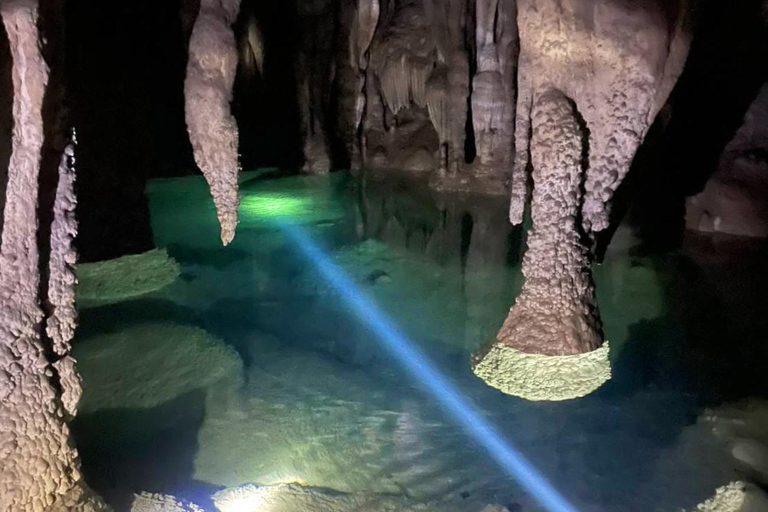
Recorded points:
539,377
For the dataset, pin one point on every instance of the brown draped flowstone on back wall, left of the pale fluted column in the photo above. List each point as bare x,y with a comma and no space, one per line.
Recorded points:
411,87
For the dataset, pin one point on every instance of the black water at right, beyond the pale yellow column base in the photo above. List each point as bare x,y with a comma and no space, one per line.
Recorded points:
710,345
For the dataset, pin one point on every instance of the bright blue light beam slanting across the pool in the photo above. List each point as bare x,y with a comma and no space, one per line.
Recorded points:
423,369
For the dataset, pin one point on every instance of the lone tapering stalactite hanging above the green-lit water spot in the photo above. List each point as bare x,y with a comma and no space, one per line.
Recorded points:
208,92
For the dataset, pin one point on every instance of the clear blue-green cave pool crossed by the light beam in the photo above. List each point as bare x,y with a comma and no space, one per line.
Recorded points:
250,367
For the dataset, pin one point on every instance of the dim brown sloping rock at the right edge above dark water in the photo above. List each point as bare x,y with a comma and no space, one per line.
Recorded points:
735,199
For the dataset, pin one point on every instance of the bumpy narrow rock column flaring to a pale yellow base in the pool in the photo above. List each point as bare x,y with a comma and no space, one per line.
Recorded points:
549,348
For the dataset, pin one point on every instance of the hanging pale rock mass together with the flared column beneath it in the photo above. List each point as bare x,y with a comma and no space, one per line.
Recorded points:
592,77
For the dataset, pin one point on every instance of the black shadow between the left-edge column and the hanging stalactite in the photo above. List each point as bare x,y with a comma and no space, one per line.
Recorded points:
126,64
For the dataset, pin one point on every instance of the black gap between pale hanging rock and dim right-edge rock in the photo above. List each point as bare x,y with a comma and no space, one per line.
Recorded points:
721,79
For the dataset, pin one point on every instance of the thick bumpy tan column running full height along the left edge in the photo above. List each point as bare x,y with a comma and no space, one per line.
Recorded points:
39,470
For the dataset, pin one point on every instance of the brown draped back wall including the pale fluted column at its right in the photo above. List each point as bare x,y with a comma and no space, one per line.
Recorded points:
407,86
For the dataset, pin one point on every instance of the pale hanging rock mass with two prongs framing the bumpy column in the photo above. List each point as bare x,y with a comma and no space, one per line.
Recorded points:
618,61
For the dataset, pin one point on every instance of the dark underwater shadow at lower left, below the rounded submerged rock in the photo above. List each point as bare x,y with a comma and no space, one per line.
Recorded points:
126,451
